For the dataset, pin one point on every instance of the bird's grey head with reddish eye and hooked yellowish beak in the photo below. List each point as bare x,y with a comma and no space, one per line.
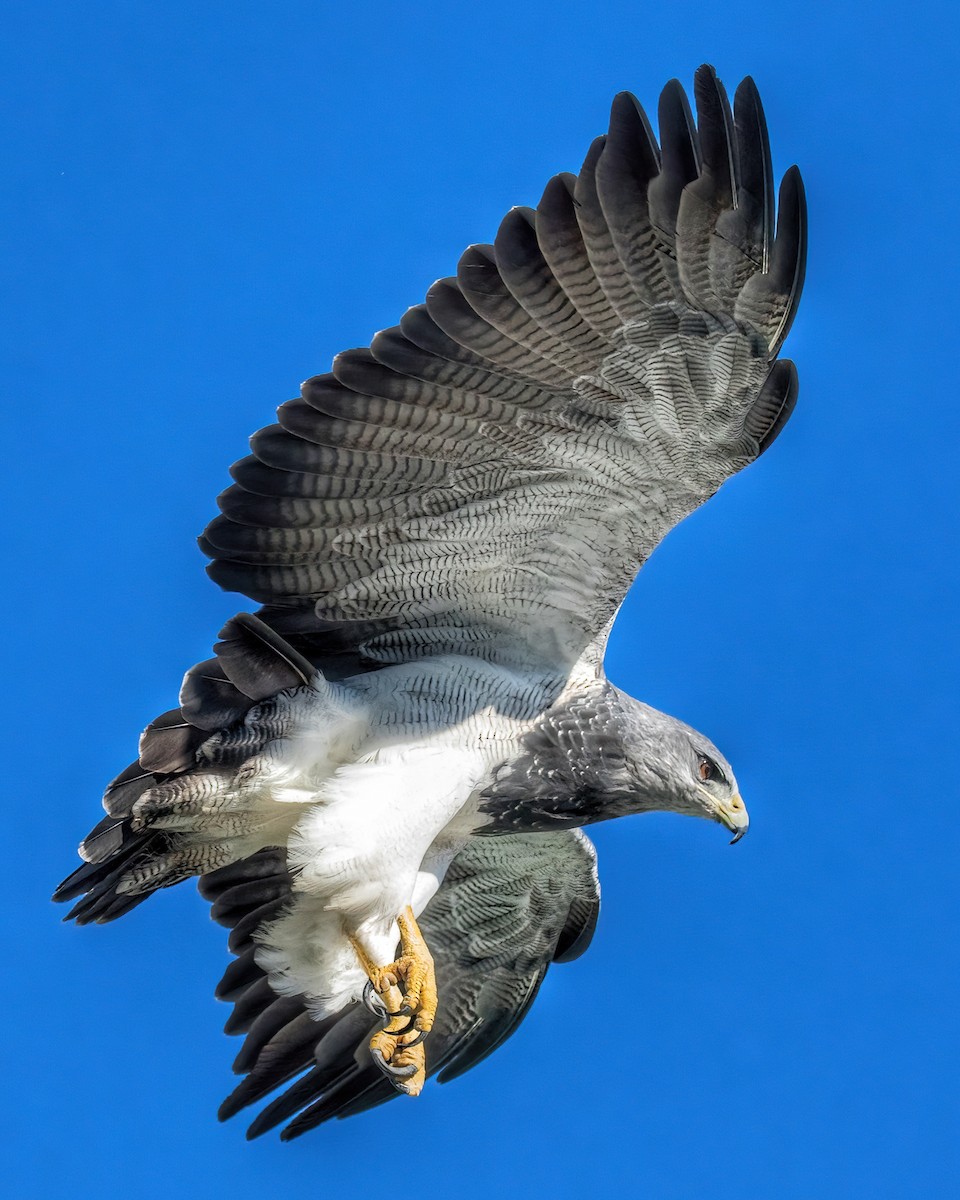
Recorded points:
677,770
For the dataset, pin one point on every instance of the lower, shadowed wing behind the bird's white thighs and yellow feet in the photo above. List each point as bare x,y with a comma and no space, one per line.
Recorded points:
508,908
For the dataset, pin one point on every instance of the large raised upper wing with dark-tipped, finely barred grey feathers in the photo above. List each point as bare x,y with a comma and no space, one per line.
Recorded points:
490,476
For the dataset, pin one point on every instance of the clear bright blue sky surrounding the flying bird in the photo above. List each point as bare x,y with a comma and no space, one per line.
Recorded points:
205,205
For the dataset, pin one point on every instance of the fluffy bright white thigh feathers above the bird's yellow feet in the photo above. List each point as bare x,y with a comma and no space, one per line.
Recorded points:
379,839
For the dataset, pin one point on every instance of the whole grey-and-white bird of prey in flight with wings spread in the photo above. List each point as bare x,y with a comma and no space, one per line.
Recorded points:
382,777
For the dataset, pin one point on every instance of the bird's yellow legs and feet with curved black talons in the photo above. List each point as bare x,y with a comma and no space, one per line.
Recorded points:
407,989
